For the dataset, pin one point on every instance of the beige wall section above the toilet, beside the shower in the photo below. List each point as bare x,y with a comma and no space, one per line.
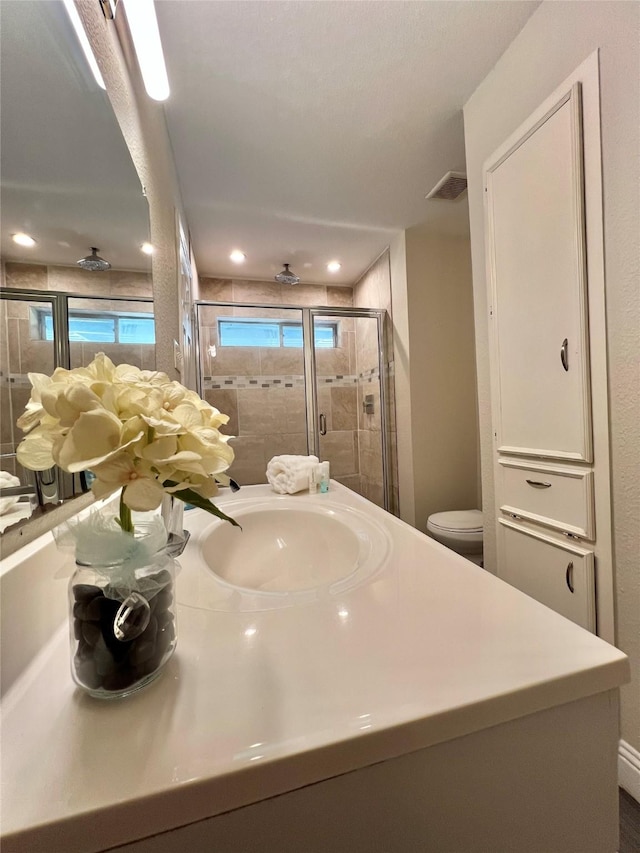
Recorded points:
435,374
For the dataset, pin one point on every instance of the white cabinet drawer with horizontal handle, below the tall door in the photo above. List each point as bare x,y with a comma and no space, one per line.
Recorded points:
561,498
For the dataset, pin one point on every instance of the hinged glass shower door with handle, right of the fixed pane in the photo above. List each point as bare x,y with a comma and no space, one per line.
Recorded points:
350,400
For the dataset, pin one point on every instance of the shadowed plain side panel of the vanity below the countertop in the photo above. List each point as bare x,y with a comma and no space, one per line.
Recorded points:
543,782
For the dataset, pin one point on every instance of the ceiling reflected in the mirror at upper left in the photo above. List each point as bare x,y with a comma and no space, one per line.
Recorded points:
67,177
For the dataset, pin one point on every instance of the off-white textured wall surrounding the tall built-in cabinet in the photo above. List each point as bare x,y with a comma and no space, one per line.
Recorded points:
555,40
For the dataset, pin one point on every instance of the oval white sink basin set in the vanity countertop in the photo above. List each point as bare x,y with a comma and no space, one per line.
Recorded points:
288,545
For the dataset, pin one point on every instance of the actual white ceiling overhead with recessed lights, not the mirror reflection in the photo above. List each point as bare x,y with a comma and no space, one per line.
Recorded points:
308,131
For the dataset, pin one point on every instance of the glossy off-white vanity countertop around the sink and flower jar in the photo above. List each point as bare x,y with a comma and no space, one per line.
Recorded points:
255,703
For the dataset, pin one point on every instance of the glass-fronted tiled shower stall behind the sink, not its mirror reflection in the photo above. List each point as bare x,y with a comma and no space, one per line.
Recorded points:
299,381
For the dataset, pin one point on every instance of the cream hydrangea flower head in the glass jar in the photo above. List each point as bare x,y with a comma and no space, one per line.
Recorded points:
136,430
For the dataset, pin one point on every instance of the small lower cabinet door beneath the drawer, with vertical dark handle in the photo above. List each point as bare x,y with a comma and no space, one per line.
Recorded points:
558,575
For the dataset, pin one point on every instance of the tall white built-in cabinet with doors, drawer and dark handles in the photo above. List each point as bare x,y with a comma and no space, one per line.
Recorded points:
543,217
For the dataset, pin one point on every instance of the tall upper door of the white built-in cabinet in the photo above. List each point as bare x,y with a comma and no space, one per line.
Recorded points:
536,261
